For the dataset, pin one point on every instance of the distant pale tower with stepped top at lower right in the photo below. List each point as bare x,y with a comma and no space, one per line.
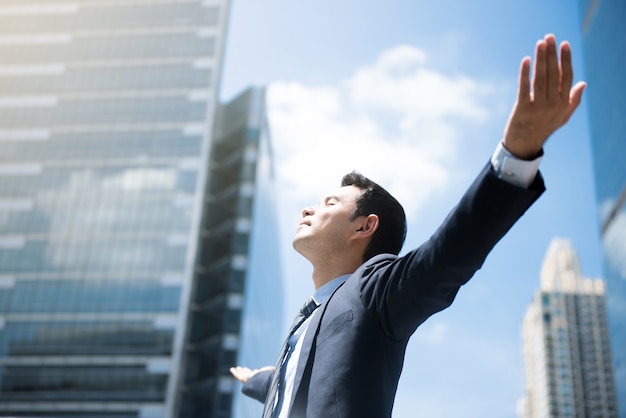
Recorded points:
568,371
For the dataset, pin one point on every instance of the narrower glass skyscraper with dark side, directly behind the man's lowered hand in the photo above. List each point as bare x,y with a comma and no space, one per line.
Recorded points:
237,291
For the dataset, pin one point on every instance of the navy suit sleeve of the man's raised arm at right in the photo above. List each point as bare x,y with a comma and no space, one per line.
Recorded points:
402,292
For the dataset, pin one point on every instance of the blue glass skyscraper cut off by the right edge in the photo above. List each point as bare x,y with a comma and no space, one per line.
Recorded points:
604,40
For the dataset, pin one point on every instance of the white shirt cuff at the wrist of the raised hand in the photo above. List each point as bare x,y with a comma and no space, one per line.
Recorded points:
512,169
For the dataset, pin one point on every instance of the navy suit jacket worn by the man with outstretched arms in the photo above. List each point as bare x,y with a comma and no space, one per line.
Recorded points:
354,348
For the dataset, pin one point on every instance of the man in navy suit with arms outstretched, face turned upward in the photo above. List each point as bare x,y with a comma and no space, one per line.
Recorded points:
345,356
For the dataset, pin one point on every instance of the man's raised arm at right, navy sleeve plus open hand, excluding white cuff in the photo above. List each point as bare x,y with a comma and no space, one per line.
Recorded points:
427,279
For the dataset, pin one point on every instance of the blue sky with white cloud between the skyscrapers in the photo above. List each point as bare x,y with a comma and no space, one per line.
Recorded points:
415,94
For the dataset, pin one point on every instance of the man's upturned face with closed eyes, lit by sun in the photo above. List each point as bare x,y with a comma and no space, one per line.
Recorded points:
325,229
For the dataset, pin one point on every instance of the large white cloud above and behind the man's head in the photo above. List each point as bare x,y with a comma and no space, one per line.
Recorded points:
397,121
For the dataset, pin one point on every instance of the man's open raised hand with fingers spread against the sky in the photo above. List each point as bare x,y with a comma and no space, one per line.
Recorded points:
539,112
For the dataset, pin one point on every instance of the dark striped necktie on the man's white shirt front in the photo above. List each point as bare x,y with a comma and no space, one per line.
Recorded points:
274,399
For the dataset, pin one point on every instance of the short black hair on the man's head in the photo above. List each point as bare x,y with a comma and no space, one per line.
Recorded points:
391,232
